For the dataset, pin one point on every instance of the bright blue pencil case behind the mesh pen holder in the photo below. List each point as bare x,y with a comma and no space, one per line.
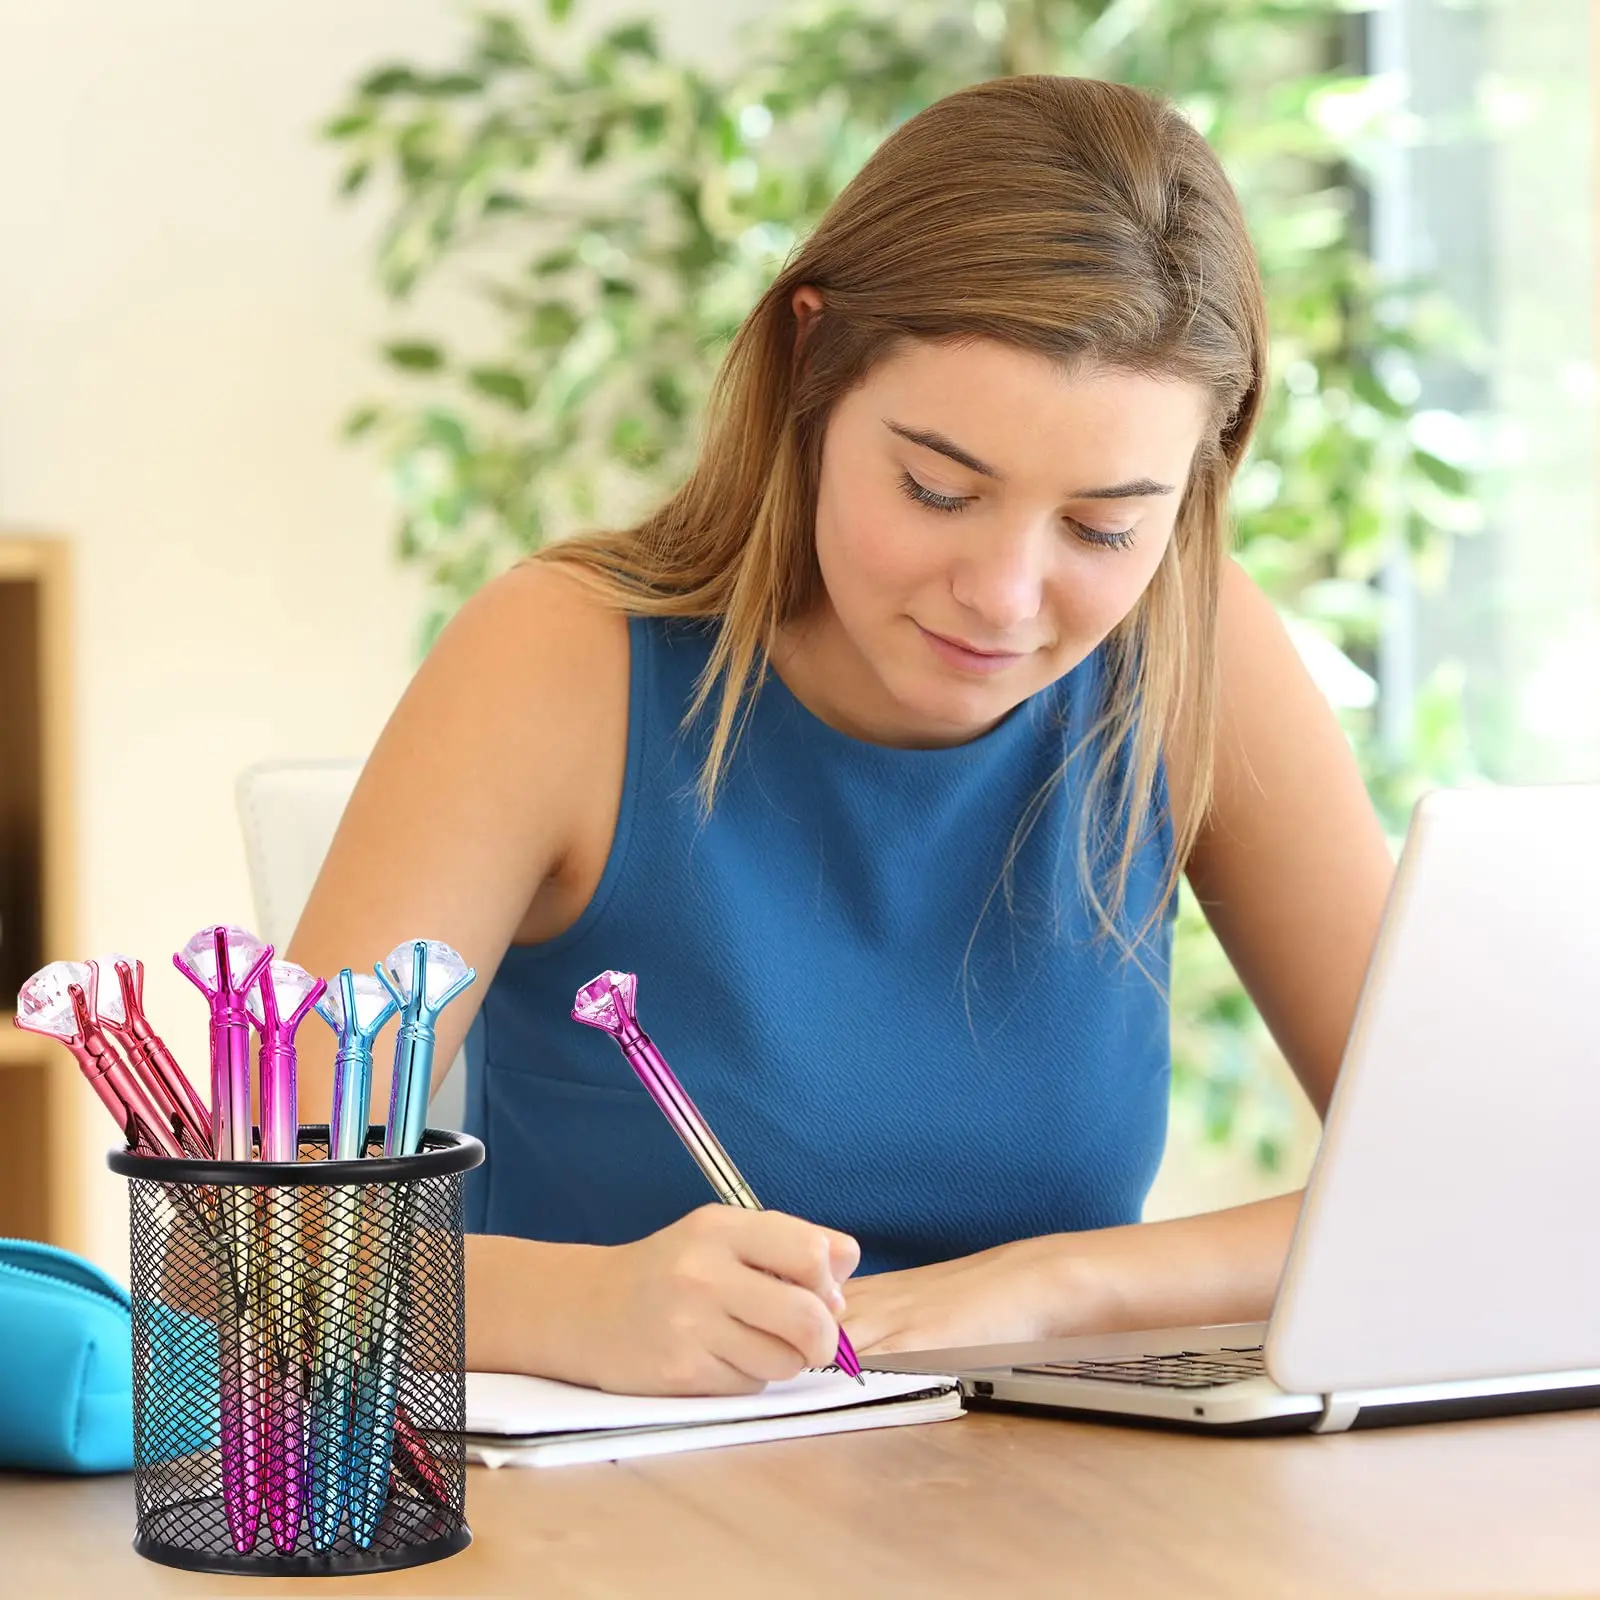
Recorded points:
66,1362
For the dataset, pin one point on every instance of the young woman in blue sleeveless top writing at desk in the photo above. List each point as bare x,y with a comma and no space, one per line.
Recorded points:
878,754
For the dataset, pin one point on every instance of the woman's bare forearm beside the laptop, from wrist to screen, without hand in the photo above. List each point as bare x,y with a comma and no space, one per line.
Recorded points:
1222,1266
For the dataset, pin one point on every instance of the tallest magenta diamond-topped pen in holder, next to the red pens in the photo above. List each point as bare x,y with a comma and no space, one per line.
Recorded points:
225,964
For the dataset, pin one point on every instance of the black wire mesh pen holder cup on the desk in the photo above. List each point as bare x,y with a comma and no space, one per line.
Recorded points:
300,1359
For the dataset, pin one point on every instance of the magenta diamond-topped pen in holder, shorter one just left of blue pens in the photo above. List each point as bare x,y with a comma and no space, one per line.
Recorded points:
278,1006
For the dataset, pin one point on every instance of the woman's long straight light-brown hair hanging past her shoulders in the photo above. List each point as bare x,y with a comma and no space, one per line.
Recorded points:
1079,220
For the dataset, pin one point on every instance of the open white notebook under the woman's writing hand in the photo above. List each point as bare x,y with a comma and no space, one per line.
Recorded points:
540,1423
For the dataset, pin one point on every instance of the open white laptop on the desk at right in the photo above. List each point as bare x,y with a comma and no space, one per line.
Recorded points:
1447,1257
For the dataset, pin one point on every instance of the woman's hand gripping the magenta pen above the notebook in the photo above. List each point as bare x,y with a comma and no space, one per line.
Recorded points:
721,1302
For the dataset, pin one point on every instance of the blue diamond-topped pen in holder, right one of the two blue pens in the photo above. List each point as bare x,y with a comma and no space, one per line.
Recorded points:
423,977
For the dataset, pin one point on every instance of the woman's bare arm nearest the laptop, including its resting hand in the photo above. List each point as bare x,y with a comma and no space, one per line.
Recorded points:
1292,871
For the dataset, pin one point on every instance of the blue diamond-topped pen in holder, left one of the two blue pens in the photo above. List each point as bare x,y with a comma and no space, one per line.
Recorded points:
356,1007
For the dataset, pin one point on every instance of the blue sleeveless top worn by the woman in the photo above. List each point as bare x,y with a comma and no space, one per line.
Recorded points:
881,1042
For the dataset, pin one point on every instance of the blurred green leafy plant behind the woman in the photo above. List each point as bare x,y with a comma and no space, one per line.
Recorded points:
615,212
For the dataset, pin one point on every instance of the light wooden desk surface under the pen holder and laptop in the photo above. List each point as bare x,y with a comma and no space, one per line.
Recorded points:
985,1506
